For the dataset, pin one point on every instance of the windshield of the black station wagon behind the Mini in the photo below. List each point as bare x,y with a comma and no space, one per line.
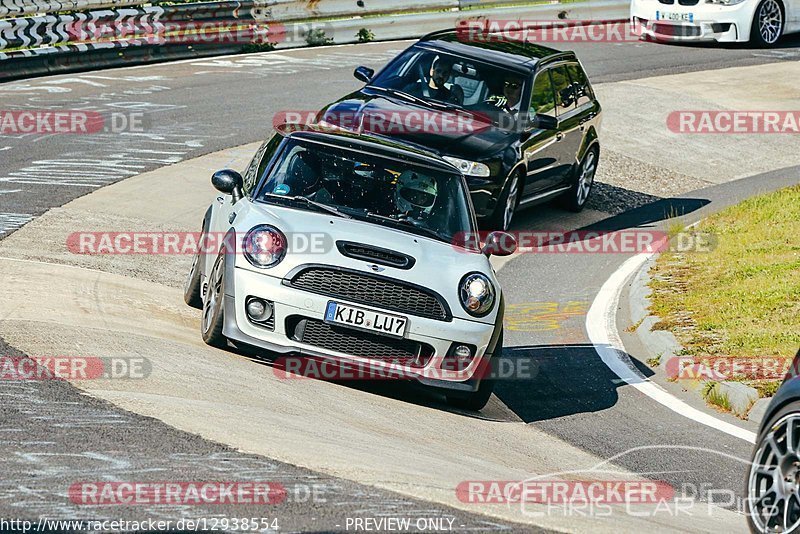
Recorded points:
453,80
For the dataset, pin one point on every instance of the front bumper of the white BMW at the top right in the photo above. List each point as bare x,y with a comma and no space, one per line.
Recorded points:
700,22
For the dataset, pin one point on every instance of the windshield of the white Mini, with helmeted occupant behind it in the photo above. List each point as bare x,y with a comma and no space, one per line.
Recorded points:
390,192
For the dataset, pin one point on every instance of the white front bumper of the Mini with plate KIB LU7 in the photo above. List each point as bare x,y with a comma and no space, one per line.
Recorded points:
290,302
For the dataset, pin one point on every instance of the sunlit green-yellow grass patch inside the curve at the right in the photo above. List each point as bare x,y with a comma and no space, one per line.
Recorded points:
741,299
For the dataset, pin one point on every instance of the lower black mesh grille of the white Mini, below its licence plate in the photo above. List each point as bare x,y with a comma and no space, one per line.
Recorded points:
361,344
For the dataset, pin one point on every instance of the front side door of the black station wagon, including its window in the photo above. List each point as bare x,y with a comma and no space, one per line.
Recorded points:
540,150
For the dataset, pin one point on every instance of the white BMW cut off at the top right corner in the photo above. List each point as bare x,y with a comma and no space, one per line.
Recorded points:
762,22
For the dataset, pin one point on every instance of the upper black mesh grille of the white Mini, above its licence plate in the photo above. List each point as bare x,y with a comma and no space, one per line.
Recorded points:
375,291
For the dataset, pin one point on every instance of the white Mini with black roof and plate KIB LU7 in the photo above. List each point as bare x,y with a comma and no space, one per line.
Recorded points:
348,248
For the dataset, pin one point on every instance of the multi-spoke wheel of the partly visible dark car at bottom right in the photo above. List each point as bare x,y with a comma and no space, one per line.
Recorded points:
785,468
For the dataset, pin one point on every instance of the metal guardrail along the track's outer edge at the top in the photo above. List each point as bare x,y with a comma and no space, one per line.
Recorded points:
50,43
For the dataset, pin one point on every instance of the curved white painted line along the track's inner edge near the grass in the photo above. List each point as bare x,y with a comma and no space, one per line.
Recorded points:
601,326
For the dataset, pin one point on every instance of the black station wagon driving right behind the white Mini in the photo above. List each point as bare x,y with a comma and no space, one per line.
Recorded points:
532,119
